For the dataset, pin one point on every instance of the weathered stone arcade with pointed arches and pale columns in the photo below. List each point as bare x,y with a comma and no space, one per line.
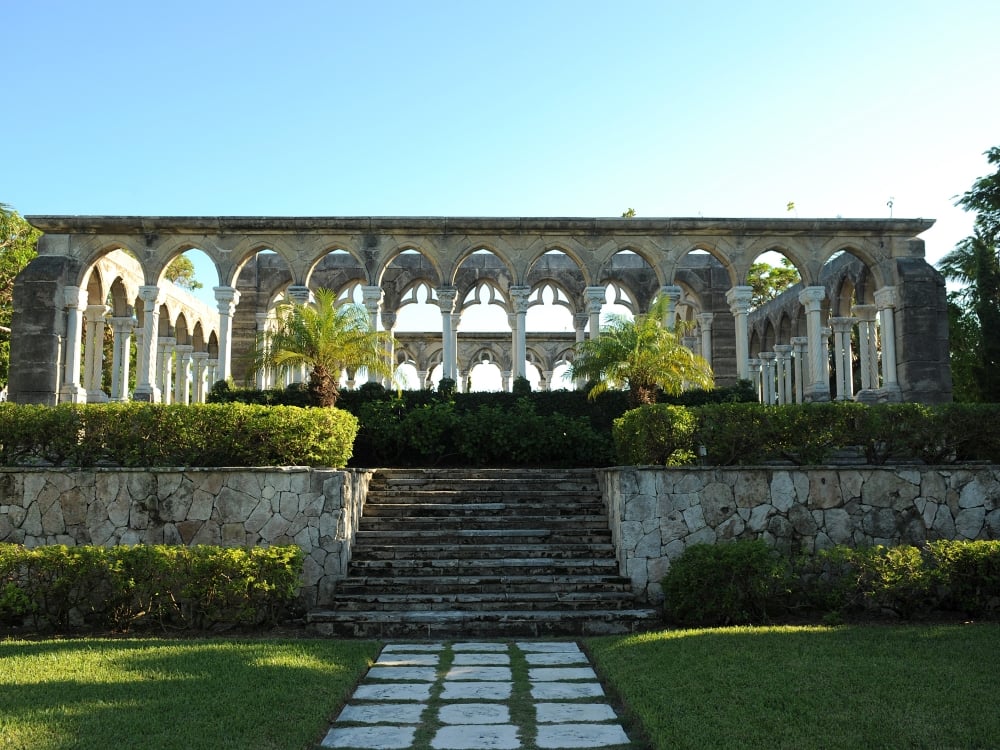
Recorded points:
701,265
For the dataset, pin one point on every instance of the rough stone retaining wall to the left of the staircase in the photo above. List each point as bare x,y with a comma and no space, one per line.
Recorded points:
317,509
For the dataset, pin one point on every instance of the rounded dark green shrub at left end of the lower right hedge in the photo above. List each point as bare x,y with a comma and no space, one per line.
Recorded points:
741,582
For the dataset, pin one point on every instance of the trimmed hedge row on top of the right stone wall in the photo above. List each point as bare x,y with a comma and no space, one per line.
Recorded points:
748,434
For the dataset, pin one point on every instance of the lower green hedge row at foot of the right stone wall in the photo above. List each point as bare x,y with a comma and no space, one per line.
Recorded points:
748,582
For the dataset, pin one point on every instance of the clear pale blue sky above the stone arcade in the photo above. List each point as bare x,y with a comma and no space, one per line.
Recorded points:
509,108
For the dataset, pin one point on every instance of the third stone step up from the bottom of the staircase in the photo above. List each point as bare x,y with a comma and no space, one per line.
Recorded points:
446,584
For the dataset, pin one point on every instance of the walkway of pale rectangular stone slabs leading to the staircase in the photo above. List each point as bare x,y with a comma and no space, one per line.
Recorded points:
477,696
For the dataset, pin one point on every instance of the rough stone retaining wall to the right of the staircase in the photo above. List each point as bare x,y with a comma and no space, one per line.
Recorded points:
656,513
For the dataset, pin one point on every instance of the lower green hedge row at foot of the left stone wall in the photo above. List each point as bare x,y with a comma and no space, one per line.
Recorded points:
61,589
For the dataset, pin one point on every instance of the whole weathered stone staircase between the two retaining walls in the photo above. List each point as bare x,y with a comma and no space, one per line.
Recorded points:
483,553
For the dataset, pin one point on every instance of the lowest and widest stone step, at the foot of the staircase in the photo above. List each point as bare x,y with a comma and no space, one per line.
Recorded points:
495,624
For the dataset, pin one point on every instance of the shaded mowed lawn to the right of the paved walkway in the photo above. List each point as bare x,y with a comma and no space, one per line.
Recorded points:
809,687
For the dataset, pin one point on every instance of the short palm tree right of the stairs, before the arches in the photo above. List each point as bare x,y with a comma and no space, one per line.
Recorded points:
642,355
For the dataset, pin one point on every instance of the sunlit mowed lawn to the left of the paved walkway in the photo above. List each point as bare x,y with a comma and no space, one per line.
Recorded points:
165,694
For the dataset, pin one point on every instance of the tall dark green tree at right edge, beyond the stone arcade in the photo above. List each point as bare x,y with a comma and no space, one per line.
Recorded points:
974,263
